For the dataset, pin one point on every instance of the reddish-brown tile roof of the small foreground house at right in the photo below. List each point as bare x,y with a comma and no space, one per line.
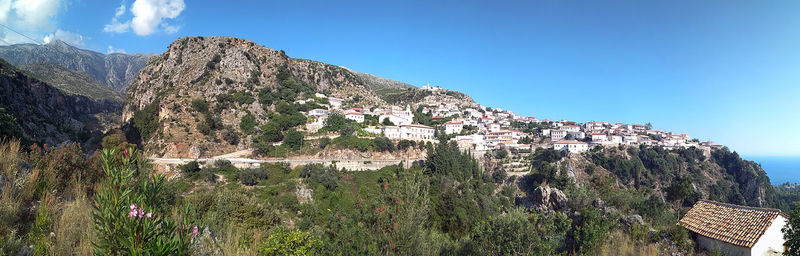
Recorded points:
734,224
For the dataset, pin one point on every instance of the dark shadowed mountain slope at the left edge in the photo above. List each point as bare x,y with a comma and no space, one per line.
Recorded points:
45,114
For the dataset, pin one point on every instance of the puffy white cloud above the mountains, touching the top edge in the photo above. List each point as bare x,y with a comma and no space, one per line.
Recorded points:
148,17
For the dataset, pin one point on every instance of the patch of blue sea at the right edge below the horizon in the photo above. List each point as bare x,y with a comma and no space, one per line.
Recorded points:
780,169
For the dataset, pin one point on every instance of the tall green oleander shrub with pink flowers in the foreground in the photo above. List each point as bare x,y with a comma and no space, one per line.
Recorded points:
122,215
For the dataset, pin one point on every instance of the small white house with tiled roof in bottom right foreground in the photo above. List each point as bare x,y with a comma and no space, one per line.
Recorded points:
735,229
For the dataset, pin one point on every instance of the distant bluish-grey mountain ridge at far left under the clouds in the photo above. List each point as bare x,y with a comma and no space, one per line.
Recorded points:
116,70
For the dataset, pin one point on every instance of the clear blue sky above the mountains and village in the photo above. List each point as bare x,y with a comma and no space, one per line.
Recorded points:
725,71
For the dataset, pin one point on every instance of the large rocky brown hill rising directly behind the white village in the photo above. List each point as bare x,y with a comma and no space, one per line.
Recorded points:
239,78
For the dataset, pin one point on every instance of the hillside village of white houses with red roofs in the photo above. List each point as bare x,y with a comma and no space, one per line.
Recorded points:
478,128
